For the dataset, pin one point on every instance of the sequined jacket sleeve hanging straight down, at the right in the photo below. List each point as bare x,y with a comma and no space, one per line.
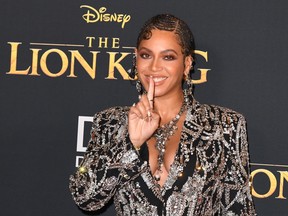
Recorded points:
236,192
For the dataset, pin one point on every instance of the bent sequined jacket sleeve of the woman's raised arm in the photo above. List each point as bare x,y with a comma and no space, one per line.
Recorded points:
109,162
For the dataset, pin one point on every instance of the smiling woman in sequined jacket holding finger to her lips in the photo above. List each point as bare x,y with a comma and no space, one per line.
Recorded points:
167,154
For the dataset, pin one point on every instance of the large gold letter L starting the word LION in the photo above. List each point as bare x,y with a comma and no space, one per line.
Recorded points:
13,60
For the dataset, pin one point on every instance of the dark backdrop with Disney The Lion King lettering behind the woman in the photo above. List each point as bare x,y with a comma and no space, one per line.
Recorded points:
62,61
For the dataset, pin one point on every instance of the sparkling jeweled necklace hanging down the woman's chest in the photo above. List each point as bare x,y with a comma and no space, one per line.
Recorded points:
162,135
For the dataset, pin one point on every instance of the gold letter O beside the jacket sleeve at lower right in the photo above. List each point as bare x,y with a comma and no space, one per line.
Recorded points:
272,179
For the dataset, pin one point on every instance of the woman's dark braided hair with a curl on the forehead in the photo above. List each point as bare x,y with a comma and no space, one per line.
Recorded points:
168,22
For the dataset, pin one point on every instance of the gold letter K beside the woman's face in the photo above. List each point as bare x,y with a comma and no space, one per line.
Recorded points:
116,64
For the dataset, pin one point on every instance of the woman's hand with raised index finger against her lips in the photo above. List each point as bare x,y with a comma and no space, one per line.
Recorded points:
142,120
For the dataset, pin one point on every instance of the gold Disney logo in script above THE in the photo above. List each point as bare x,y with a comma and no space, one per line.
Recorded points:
93,15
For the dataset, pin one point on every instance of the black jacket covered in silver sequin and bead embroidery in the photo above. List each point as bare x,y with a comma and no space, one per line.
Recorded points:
209,175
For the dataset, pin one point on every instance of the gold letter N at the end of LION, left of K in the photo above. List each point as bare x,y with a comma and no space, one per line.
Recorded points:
90,70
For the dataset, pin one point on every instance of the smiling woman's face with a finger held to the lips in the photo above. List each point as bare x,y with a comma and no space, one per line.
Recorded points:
161,57
